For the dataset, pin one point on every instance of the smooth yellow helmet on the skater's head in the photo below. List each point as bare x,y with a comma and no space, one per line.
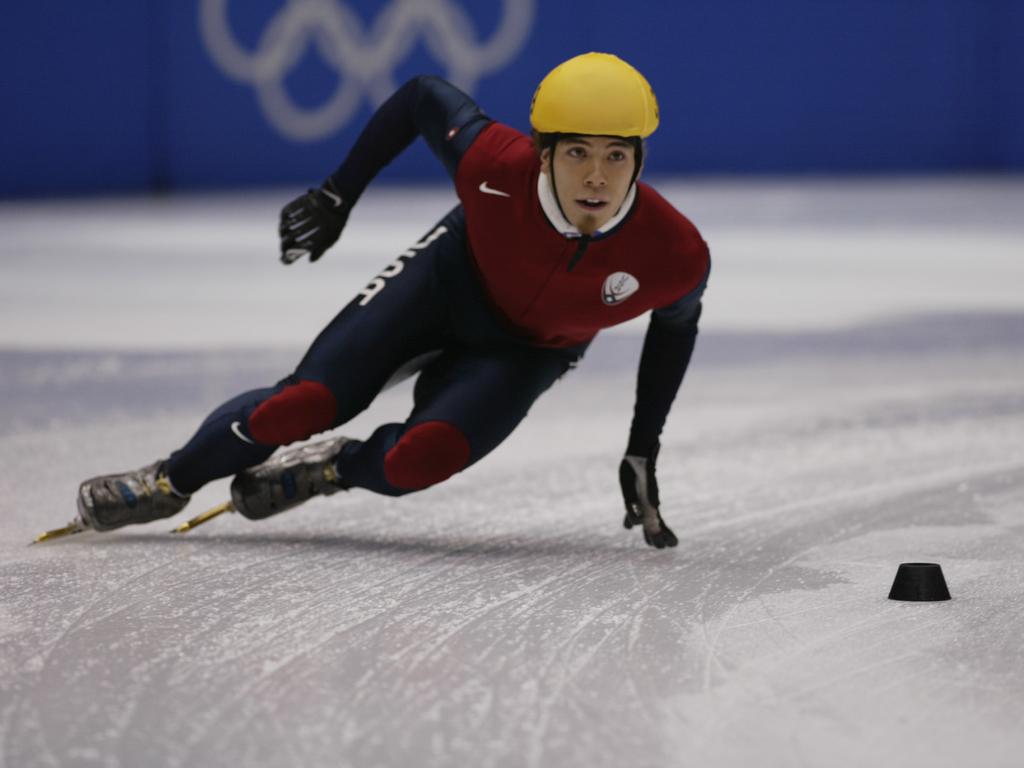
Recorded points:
596,95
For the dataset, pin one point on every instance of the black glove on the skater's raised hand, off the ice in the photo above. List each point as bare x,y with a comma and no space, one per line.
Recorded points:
312,224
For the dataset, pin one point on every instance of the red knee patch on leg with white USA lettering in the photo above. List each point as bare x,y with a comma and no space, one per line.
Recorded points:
297,412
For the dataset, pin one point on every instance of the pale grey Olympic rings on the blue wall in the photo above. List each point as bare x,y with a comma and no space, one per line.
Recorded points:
364,58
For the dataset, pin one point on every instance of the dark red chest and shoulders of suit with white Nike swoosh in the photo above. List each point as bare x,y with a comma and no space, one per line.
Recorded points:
523,260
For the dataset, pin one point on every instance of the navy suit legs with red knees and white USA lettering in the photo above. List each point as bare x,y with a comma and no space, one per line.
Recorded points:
479,385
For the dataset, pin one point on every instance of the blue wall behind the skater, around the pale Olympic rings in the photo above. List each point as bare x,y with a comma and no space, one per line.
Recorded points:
132,95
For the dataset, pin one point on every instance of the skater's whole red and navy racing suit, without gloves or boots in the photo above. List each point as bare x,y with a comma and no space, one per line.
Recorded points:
499,297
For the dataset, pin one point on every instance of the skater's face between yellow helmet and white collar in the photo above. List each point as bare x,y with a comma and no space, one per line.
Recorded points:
592,178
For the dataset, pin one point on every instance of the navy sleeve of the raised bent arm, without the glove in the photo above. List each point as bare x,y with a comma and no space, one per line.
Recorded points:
426,106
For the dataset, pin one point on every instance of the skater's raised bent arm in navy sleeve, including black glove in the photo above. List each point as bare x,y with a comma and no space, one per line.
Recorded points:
426,106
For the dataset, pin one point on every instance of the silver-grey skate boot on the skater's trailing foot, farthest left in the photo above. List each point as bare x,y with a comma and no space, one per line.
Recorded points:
112,501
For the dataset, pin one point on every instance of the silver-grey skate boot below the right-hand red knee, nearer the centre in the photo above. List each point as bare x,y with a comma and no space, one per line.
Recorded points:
287,480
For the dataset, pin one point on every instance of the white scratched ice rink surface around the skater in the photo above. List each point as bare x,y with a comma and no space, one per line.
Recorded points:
857,402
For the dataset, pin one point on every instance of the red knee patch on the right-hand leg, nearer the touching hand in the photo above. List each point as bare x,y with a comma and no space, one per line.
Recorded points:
426,455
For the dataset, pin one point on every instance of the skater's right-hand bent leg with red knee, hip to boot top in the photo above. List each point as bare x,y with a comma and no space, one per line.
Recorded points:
465,407
